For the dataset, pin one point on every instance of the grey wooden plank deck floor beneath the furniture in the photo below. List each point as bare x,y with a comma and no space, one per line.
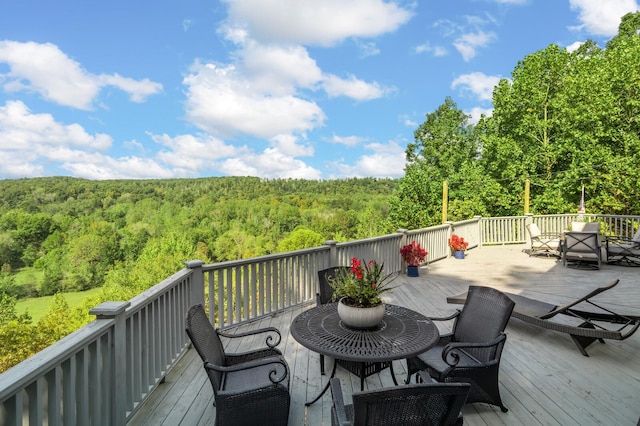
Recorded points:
544,379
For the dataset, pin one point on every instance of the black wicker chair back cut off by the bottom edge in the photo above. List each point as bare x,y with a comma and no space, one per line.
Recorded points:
408,405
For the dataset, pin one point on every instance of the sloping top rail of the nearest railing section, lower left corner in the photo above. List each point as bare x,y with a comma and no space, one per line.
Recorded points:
17,377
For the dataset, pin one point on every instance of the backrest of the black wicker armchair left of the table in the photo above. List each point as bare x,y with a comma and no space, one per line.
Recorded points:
206,341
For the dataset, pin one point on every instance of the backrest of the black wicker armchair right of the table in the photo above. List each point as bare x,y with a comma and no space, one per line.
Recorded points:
484,316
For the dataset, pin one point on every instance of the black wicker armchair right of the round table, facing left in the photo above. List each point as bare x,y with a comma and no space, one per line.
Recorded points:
471,352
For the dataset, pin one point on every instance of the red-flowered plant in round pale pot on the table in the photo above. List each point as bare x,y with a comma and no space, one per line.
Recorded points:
358,290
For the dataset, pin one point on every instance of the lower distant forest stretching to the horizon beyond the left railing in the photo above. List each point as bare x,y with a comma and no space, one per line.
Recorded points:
125,236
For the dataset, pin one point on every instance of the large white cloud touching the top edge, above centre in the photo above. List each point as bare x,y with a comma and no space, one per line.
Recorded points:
311,22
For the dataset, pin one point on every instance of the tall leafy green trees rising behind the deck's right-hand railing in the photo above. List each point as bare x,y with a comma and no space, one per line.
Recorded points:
563,120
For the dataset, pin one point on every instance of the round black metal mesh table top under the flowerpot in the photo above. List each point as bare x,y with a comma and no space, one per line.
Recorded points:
403,333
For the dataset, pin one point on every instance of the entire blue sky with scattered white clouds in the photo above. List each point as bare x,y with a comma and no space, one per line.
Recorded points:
313,89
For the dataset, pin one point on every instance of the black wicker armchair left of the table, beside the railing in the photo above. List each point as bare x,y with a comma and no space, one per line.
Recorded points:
250,388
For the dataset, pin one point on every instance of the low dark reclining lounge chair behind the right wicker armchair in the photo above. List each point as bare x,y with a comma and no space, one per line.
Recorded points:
588,328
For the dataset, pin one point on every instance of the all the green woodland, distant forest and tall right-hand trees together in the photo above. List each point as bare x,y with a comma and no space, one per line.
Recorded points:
563,120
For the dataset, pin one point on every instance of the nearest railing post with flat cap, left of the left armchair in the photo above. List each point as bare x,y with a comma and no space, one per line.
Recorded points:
115,311
